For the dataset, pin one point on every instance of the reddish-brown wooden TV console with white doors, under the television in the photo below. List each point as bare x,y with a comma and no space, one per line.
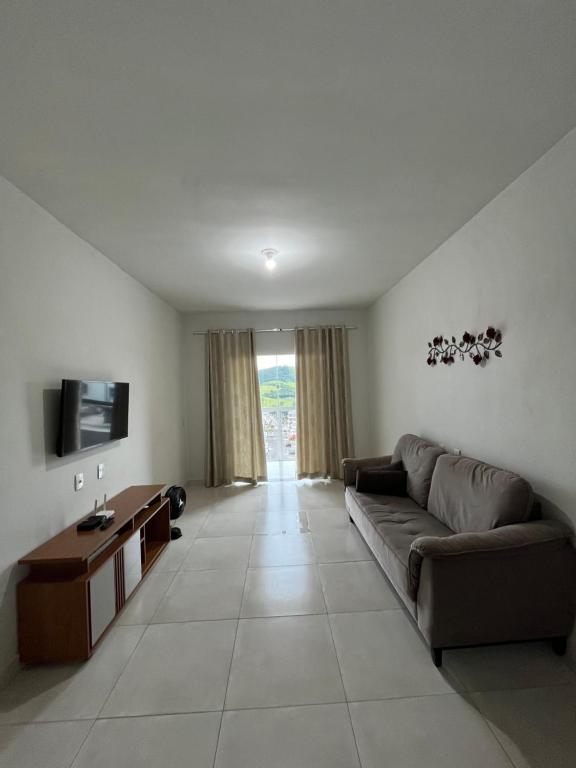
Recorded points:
79,582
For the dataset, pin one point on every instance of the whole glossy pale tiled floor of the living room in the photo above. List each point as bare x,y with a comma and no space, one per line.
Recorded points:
267,637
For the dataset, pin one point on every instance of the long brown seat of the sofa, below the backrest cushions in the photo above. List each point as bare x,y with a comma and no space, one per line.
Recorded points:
397,522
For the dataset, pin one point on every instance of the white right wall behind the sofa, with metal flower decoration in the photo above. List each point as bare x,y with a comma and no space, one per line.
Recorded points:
513,266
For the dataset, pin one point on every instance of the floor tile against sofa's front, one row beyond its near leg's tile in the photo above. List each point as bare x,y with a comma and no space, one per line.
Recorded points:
357,586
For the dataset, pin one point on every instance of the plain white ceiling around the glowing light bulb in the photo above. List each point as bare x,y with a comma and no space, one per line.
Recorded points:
181,137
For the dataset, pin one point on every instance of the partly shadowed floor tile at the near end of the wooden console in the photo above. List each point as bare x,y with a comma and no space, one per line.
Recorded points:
71,691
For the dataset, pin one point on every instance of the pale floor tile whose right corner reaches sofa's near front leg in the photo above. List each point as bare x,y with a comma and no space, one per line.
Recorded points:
381,657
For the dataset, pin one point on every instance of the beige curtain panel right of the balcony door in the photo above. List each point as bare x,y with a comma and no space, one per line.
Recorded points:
324,424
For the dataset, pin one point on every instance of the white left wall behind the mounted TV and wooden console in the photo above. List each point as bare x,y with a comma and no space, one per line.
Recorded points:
67,312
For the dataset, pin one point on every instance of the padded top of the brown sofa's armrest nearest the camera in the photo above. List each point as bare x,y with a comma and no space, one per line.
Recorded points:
506,542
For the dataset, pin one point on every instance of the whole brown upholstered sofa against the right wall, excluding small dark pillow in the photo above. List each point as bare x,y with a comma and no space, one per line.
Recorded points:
465,550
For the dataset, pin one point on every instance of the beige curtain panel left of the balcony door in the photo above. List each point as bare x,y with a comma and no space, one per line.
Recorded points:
235,434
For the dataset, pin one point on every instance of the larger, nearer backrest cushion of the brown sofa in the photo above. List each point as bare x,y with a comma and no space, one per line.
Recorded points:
470,496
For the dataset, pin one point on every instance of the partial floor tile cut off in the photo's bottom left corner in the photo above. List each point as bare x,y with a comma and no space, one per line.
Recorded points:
42,745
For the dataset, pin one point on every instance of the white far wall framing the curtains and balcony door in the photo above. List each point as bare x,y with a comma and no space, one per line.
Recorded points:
270,343
